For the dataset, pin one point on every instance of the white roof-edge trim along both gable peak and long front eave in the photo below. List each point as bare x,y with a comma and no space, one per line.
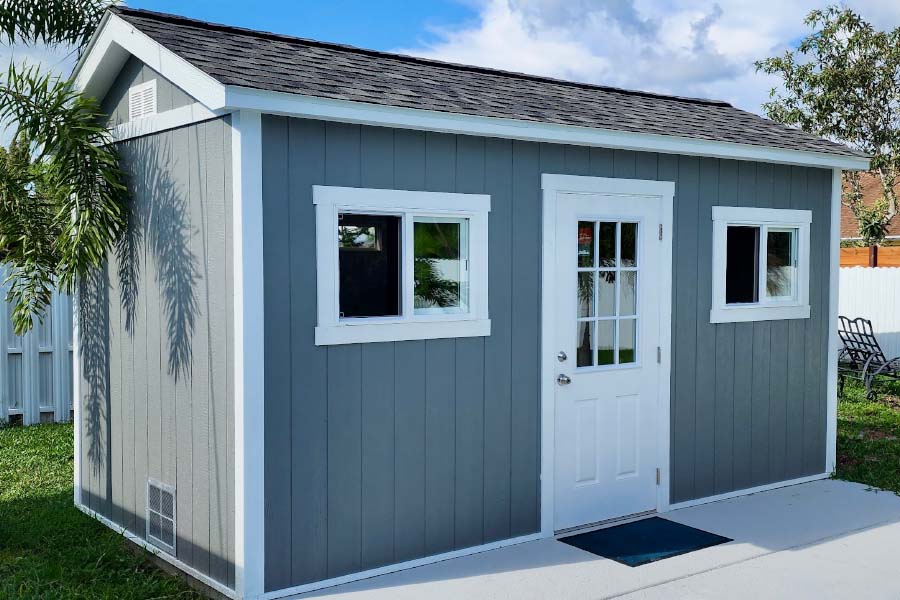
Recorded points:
116,39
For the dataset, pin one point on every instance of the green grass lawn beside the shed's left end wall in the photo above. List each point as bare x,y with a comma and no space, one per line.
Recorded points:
48,548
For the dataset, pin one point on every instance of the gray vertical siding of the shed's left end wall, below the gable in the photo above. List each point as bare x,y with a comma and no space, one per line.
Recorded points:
156,348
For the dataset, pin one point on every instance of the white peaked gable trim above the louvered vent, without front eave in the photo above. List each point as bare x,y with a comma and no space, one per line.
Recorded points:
109,49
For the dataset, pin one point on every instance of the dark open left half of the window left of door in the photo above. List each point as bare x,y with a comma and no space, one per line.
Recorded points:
369,265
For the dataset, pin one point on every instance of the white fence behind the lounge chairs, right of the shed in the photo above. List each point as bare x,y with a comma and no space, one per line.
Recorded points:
874,294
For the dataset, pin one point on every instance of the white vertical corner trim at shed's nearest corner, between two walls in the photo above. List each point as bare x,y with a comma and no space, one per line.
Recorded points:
249,347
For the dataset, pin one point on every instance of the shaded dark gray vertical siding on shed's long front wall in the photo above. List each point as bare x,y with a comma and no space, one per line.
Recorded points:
381,453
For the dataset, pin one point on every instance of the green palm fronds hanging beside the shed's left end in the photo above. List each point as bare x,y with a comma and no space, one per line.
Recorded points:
62,193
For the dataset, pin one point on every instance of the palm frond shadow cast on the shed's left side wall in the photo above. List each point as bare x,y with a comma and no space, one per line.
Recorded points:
158,228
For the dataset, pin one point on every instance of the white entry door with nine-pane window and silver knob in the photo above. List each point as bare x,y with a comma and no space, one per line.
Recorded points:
607,332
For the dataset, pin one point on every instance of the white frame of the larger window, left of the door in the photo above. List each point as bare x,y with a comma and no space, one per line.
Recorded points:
332,200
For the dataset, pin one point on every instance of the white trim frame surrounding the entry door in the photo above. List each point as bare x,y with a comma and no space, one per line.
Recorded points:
552,185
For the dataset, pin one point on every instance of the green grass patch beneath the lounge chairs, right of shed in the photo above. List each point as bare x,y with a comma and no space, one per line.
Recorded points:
868,444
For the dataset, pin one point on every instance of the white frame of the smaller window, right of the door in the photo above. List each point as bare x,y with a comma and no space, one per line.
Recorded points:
766,308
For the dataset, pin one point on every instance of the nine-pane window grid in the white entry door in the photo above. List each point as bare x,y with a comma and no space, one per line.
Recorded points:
607,294
